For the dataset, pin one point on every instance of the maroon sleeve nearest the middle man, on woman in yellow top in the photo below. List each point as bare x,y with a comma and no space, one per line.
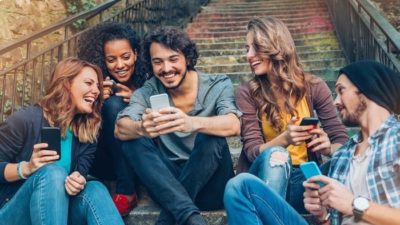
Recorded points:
251,133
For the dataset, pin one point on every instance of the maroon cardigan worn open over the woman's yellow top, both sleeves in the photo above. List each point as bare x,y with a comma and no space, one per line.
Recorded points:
318,97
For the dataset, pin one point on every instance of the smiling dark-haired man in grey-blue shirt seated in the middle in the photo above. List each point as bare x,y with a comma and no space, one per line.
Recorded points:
180,152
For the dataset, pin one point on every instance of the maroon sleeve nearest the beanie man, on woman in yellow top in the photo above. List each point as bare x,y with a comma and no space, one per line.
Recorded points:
327,113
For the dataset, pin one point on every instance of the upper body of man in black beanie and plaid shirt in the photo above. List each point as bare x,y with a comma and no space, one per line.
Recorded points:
363,186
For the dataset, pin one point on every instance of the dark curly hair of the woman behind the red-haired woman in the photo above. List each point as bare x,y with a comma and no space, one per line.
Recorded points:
91,47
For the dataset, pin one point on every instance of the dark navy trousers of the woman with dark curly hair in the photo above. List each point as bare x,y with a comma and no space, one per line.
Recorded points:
109,163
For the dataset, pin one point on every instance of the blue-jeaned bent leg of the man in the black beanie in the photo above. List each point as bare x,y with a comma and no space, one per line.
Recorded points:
248,200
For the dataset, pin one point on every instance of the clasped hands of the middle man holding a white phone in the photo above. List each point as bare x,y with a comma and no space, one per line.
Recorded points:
172,119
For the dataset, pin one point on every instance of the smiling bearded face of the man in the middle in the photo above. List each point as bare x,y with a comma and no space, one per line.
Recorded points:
169,66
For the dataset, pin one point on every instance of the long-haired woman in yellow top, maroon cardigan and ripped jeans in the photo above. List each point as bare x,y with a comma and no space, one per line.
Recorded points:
273,103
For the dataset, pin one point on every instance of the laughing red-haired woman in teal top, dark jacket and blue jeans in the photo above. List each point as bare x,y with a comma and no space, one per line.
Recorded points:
36,185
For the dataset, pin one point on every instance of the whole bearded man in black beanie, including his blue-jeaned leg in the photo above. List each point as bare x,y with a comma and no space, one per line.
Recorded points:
363,184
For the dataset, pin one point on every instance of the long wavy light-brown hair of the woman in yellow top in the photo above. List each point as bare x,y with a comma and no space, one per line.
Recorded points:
285,79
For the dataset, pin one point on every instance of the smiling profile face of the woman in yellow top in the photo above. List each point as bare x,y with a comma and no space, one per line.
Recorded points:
259,64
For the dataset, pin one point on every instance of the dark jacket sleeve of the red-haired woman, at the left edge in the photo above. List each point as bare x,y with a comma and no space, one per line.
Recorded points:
12,139
